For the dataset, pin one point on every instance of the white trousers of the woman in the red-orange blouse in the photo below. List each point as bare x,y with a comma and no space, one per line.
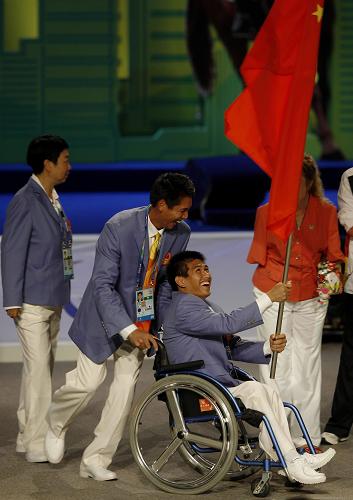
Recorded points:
298,372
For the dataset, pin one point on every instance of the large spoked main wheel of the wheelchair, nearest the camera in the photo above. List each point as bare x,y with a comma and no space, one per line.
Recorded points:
157,451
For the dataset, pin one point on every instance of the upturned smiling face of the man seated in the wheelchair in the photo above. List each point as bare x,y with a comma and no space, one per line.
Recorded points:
198,280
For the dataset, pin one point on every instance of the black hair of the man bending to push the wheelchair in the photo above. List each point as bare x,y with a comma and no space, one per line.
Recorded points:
171,187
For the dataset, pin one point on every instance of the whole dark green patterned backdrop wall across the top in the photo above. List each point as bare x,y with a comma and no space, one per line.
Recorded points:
65,82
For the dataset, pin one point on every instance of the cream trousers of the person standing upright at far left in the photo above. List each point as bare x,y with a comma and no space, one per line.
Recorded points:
37,328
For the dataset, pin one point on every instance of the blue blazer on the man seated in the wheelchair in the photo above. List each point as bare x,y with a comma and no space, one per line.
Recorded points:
193,330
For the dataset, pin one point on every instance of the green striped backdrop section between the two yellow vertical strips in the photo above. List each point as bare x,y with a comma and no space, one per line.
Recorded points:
79,84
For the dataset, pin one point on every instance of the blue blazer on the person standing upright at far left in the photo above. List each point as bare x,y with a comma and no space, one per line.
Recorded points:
31,251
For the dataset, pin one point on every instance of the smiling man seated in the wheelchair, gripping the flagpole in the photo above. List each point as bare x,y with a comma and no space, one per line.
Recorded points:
195,328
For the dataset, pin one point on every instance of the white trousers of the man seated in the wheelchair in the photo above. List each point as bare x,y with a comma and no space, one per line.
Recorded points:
262,397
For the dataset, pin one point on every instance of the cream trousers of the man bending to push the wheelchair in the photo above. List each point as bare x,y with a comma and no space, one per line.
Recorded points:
81,384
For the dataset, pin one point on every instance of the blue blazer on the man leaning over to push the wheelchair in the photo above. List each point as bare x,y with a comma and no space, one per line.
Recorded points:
109,302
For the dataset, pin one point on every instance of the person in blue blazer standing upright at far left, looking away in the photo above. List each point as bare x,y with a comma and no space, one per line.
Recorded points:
36,268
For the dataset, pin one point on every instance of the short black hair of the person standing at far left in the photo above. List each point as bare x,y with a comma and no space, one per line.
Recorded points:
44,147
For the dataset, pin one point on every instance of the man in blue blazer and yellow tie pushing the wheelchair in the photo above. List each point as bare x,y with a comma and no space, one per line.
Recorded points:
110,320
